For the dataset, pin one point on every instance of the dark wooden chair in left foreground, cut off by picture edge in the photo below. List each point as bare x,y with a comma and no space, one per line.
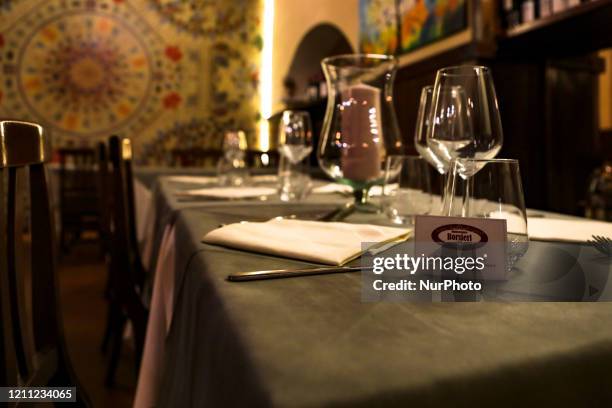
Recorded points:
32,346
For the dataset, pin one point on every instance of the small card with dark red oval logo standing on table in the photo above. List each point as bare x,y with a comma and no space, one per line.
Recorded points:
478,243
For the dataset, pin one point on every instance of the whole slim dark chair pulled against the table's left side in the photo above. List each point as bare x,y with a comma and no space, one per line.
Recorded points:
126,271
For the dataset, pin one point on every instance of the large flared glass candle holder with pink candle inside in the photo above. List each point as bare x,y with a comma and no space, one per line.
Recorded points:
360,128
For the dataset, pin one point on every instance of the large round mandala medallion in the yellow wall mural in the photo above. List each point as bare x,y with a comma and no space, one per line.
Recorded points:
87,68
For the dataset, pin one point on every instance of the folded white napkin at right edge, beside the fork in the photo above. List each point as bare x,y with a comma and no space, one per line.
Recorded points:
555,229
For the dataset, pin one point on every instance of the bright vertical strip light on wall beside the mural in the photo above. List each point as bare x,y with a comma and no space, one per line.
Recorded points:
265,75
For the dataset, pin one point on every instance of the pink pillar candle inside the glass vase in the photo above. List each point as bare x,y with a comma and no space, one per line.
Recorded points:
361,133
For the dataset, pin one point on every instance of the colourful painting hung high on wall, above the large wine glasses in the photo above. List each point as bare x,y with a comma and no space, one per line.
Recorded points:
400,26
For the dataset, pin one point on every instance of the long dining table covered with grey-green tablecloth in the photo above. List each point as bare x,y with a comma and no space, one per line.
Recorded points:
313,342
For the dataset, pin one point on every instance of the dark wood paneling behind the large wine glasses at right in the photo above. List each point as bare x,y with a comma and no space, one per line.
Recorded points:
546,81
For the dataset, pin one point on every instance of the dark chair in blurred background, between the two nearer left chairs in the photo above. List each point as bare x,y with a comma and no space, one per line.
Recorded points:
78,194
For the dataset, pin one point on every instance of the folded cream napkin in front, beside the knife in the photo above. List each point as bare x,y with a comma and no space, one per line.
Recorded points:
332,243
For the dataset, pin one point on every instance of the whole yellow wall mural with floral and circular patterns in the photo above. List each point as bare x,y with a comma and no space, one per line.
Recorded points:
166,73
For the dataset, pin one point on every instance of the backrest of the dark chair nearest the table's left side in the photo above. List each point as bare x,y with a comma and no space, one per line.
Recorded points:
127,273
